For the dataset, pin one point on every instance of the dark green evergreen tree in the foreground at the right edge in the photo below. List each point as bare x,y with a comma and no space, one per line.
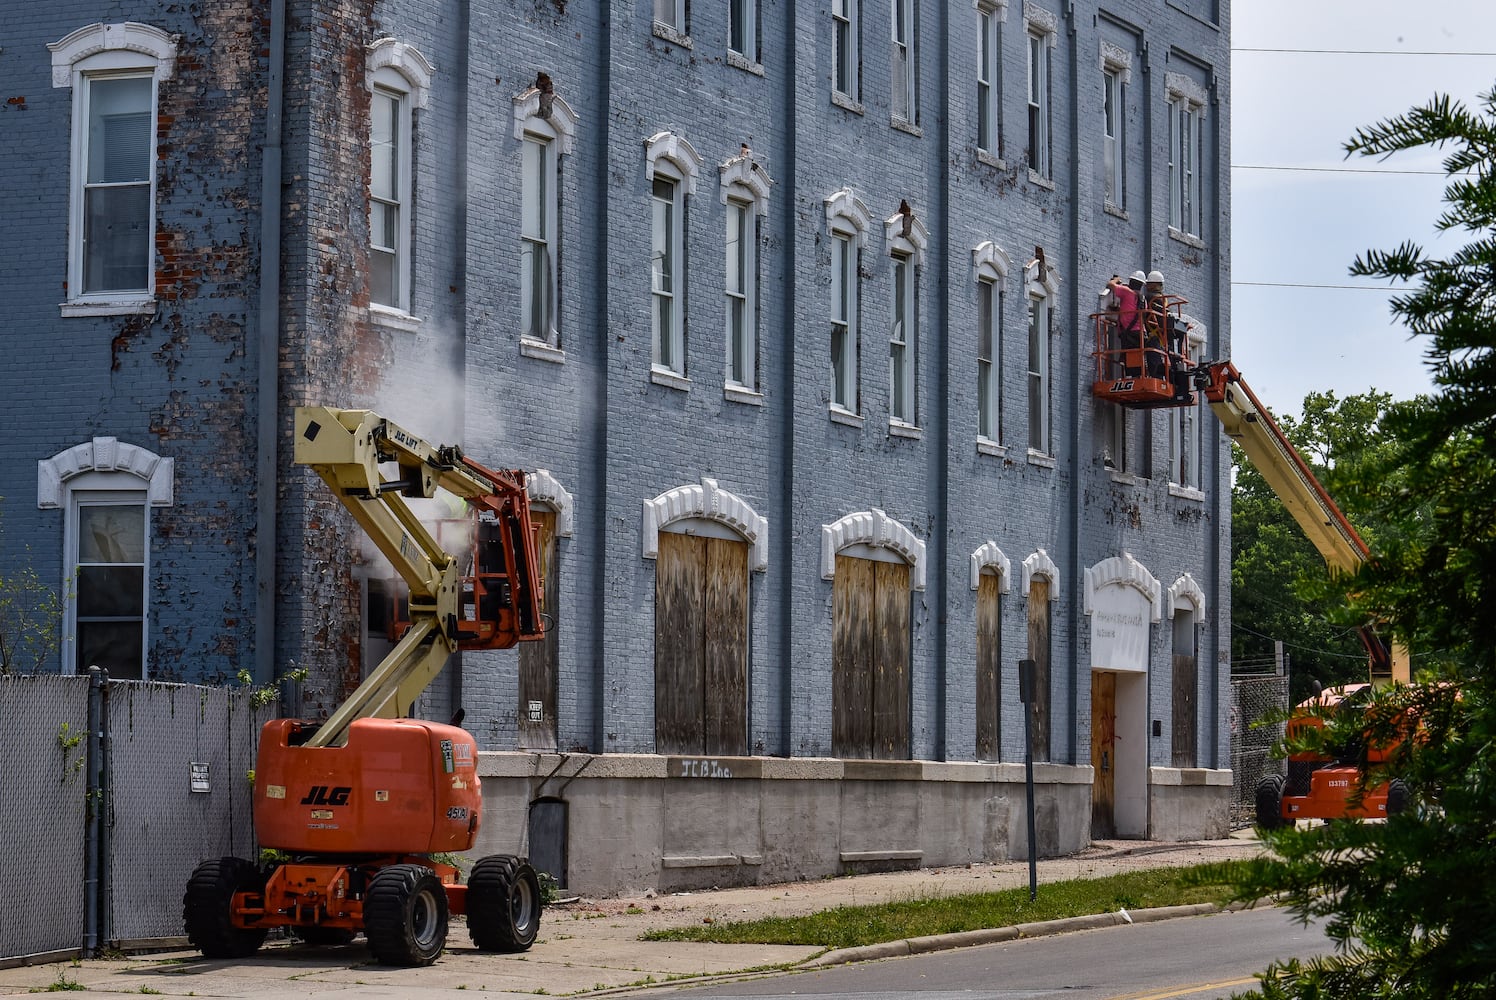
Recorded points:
1410,902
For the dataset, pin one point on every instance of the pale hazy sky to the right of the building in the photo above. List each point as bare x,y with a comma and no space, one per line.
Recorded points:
1304,227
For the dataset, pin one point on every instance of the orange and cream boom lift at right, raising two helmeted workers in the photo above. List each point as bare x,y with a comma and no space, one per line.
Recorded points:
1317,788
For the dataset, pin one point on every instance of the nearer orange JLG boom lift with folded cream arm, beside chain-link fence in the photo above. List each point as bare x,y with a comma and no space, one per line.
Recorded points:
367,802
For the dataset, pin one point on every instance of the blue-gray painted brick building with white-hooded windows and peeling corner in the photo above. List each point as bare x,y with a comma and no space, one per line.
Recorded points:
788,311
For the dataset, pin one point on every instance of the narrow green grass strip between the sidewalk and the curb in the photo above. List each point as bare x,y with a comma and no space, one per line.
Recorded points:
918,917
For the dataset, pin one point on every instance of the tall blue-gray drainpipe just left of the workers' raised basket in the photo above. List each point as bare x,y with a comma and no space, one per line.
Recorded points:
1078,382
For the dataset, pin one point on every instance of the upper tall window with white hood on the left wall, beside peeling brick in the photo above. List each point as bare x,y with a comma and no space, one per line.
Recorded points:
113,73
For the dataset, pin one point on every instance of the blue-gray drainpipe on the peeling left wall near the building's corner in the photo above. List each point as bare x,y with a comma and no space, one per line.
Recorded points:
269,342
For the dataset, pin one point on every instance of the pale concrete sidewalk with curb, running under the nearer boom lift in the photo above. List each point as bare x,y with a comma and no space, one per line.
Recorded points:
590,947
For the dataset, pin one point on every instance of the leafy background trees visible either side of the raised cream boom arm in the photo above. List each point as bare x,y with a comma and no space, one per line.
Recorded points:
1281,588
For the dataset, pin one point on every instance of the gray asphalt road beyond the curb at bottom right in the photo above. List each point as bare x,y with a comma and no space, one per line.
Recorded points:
1198,959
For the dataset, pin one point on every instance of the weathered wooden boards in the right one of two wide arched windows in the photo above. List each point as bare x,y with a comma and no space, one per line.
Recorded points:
871,659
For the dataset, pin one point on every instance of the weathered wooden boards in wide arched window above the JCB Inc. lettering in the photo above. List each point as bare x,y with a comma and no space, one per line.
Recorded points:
701,646
